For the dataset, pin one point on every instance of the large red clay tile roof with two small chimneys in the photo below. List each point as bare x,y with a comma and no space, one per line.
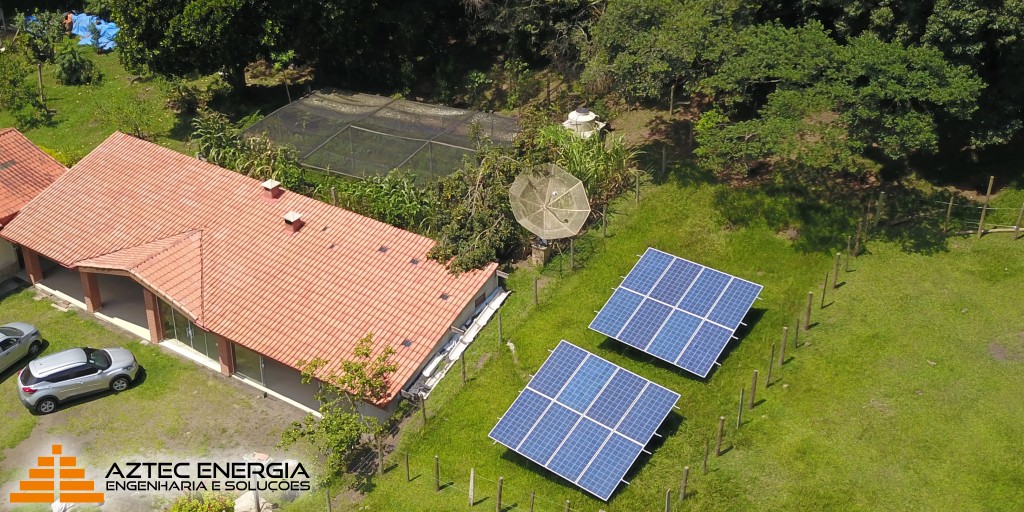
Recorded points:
208,240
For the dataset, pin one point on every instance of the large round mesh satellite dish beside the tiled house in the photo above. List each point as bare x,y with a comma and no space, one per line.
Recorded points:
549,202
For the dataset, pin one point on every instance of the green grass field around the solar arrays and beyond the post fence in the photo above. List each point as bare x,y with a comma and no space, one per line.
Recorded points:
902,398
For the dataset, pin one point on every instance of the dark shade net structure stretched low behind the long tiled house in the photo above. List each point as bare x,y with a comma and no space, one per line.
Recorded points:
362,136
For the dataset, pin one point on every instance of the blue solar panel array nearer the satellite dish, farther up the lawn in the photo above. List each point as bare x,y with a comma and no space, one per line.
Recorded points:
677,311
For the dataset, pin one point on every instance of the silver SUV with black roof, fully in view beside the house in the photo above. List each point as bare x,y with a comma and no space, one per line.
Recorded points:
75,372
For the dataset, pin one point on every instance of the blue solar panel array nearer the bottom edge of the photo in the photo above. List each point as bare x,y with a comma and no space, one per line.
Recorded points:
585,419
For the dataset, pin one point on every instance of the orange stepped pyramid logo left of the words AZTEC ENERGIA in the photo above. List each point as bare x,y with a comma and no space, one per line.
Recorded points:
57,477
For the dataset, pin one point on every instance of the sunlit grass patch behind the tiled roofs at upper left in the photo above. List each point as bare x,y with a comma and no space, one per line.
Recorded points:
82,122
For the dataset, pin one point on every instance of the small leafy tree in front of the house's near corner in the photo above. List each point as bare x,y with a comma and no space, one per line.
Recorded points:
340,433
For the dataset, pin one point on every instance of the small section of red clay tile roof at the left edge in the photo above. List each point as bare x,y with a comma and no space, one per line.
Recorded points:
25,172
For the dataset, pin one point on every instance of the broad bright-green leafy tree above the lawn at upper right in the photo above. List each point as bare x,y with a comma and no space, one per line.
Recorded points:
824,107
